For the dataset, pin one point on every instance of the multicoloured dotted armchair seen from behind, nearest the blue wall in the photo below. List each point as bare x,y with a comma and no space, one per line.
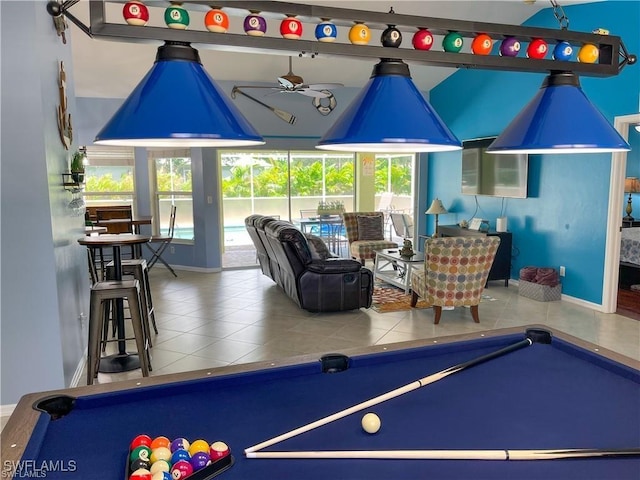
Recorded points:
455,273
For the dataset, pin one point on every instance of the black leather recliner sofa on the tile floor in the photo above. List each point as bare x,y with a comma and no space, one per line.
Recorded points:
306,271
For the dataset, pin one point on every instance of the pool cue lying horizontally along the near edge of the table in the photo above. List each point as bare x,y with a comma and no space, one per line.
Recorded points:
452,454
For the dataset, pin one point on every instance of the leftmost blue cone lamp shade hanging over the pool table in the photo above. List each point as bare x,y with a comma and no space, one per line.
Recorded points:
178,104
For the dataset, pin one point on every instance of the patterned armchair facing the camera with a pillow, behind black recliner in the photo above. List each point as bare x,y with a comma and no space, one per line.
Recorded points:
365,232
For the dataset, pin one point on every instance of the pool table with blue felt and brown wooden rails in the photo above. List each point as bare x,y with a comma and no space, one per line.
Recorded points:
563,394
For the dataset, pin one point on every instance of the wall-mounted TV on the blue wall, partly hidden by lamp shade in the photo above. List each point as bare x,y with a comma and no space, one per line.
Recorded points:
494,175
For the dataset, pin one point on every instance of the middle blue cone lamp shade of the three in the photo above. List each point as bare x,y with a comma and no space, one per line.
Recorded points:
389,115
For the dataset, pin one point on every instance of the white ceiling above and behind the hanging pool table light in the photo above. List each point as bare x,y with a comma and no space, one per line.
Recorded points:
112,69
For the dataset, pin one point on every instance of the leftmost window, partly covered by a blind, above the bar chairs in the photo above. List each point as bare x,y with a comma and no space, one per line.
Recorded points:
109,176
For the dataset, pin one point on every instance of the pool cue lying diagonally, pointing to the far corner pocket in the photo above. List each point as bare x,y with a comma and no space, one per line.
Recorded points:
392,394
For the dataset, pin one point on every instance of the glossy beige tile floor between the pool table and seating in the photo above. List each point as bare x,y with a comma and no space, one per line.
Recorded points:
214,319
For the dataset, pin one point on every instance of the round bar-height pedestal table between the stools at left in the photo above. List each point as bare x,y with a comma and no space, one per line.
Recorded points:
121,361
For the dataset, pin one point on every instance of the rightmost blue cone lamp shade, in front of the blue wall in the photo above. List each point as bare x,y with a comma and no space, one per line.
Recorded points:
559,119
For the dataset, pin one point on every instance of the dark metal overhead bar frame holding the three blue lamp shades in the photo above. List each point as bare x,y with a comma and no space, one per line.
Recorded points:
613,55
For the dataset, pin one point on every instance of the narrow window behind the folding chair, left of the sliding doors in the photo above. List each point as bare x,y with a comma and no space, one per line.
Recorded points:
171,184
